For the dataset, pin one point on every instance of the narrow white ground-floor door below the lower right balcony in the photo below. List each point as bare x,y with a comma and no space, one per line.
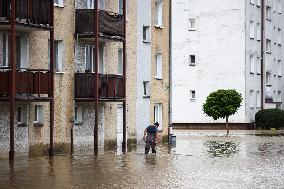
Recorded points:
119,128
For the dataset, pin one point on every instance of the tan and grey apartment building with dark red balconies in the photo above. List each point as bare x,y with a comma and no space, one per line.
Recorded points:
88,96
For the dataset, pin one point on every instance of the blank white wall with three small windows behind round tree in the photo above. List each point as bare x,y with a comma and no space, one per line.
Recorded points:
219,46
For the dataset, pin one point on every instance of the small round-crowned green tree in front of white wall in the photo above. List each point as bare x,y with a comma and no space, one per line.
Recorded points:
222,104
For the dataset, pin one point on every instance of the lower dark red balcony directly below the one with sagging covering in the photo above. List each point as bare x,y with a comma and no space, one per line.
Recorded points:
111,87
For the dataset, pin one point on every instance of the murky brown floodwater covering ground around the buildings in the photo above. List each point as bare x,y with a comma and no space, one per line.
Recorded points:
201,159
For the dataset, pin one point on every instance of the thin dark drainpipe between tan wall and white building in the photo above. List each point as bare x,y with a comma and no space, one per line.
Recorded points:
170,67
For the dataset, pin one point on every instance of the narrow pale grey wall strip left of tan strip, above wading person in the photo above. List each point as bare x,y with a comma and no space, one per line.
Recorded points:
143,67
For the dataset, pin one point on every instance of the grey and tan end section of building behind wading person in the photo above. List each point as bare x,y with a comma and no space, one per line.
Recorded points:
152,103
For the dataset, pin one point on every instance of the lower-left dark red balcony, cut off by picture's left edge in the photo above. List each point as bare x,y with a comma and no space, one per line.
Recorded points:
30,84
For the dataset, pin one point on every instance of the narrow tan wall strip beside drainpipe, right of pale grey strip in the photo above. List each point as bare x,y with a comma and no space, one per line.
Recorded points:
160,44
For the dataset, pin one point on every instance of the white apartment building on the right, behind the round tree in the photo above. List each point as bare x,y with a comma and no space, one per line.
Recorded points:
226,44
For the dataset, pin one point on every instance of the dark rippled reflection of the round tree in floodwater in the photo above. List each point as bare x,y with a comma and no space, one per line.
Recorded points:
222,148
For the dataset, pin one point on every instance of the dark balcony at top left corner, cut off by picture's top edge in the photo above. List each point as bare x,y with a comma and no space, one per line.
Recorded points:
29,13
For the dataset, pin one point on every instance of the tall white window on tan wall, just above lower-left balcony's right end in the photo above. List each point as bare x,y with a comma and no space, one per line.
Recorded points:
58,55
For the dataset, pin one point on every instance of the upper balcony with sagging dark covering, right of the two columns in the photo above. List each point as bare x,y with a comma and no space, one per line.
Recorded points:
111,25
